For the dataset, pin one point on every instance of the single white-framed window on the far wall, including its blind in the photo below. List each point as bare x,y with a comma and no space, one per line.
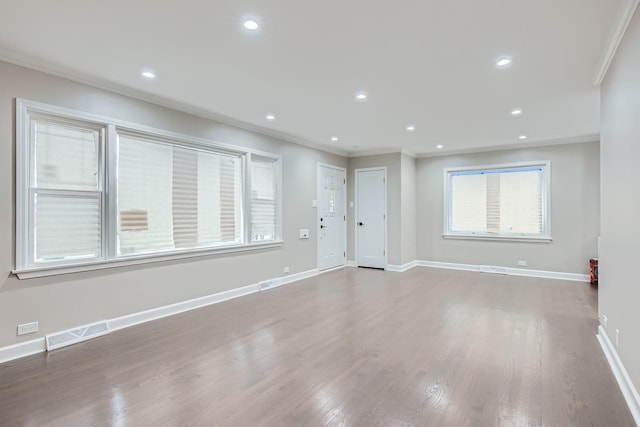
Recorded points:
504,202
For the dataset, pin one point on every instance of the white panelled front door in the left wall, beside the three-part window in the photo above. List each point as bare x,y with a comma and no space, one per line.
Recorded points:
331,217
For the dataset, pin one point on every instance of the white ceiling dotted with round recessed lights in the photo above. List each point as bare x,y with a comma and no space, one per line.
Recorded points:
430,63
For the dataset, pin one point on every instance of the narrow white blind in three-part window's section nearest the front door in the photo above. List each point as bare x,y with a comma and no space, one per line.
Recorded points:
263,199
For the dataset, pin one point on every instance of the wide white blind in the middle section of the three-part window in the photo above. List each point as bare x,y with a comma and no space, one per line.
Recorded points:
179,197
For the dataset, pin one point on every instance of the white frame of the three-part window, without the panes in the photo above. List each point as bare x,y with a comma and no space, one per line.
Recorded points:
26,267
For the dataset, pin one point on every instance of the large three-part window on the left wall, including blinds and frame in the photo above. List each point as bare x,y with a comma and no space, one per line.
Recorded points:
94,192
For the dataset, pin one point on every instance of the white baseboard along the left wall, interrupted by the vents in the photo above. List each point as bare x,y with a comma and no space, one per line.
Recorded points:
37,345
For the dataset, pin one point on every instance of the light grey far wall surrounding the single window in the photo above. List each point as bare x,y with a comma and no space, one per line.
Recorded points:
575,211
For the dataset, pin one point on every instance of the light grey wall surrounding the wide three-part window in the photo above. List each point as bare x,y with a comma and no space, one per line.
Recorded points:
66,301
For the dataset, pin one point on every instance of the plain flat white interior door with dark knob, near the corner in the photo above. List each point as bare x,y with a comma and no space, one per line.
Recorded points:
371,217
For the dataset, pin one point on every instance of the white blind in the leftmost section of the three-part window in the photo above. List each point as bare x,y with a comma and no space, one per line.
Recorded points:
65,191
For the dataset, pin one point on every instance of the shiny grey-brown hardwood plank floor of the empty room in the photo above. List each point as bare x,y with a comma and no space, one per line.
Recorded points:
354,347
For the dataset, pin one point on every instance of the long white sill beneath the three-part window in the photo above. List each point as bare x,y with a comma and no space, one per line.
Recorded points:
49,270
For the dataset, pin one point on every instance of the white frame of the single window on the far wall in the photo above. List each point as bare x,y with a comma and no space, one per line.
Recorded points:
543,237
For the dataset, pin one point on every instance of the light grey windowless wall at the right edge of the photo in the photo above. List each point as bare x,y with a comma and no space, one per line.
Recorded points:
619,289
